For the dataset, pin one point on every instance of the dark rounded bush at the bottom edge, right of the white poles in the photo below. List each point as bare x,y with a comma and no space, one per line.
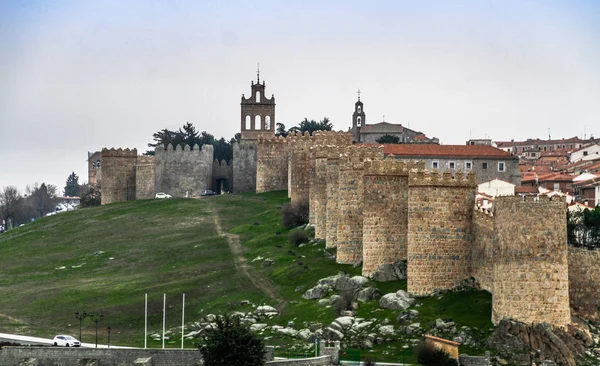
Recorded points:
229,342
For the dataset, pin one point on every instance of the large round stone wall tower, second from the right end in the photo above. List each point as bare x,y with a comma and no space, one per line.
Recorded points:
440,210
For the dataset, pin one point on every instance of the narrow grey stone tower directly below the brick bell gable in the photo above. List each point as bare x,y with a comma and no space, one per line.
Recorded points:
245,166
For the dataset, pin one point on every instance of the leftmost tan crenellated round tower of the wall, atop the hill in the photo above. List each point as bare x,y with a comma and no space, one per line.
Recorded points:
118,170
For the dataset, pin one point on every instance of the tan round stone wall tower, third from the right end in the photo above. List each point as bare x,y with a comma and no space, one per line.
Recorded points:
385,213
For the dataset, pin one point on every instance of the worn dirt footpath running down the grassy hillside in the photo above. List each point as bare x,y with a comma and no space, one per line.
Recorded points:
260,281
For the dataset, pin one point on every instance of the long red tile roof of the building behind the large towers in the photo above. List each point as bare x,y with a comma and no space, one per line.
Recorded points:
458,151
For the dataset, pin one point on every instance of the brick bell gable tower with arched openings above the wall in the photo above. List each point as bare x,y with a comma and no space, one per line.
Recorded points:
258,112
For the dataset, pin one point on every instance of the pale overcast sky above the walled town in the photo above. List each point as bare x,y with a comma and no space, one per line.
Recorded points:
76,76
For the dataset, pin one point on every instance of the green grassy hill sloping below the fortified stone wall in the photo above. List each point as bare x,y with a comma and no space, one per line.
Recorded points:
104,259
